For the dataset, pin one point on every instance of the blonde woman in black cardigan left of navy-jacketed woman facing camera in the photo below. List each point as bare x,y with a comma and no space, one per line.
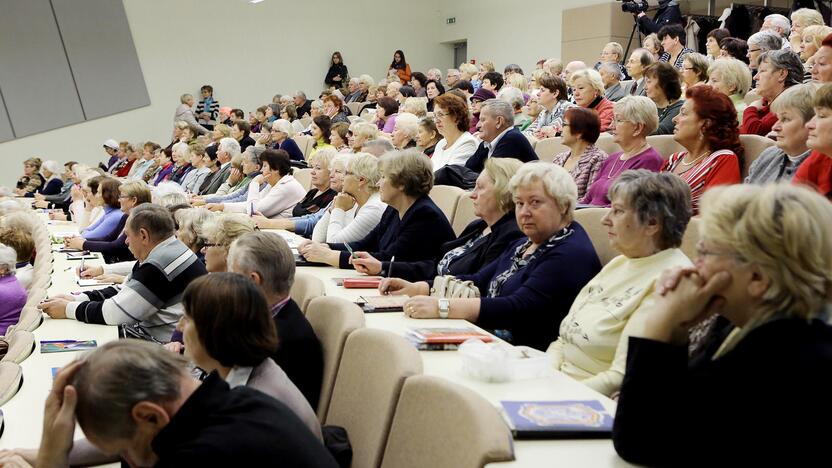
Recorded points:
485,239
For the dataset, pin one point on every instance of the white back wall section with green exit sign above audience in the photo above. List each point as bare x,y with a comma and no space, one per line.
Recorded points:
521,32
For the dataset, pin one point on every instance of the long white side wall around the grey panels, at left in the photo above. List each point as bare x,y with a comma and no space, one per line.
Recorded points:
276,46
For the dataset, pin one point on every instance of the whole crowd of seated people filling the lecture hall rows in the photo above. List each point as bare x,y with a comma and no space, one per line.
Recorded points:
538,279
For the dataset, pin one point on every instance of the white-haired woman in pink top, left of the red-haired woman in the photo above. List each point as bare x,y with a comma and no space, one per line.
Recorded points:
635,118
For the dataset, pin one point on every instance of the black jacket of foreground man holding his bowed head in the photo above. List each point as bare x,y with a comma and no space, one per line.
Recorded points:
218,426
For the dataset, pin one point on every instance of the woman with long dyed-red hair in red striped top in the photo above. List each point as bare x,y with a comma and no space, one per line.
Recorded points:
707,127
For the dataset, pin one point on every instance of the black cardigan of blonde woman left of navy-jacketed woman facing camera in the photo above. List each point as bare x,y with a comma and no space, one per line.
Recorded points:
504,233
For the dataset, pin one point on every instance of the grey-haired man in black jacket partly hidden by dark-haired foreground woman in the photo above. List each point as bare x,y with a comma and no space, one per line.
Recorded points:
267,259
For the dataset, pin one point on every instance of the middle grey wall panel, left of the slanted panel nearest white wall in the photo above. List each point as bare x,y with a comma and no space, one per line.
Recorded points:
35,76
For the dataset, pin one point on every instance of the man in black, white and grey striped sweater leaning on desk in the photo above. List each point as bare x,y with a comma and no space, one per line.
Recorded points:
148,304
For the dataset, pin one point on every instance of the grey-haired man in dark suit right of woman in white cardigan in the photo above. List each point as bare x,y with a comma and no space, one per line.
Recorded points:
499,137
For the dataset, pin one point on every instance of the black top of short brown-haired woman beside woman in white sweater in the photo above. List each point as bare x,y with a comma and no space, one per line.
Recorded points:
418,235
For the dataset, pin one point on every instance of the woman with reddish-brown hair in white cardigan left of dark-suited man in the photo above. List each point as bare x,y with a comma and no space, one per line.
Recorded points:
457,145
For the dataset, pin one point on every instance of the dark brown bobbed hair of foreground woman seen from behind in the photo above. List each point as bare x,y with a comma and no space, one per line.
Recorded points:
232,319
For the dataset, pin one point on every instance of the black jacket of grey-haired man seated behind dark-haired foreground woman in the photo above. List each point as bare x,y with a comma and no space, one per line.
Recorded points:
299,352
